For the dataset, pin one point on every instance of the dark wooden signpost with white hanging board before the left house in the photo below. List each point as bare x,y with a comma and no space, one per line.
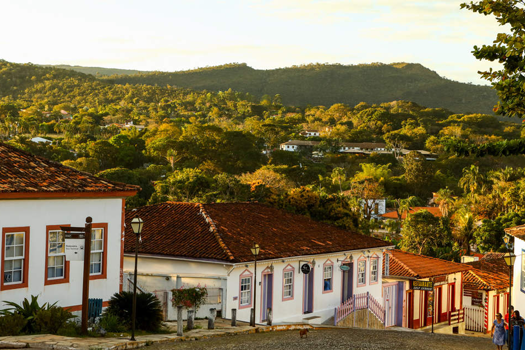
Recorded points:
73,236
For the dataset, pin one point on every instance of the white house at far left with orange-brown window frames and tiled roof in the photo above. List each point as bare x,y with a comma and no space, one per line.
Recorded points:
37,196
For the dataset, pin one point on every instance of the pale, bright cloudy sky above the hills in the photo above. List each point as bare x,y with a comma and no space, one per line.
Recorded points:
170,35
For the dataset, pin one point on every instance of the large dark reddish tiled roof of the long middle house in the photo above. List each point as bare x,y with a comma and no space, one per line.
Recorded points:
227,231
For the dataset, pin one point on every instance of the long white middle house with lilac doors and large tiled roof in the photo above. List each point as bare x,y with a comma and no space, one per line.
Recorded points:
188,244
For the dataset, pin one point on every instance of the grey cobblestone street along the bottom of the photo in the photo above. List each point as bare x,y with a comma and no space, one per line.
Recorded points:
336,339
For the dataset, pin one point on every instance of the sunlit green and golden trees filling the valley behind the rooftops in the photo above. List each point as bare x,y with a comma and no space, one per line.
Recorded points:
200,146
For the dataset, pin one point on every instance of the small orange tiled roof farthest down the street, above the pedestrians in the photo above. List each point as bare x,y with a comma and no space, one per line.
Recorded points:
488,273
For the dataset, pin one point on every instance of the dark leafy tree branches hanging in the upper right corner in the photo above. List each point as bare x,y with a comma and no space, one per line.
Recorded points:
507,49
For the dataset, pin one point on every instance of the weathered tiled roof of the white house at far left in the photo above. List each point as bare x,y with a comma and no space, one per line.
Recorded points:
24,173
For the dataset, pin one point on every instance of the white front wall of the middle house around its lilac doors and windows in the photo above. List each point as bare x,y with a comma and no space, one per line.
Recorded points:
292,310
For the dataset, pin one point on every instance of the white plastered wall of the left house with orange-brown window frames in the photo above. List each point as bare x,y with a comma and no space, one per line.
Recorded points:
37,214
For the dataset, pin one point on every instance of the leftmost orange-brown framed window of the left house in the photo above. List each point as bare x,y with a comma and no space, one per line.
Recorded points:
15,257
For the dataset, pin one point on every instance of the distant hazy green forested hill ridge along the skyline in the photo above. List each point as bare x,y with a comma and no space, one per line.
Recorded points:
318,84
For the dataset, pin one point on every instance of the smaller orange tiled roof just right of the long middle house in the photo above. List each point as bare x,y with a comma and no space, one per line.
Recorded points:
406,264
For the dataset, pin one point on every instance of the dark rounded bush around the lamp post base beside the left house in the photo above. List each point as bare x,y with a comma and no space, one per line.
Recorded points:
149,311
